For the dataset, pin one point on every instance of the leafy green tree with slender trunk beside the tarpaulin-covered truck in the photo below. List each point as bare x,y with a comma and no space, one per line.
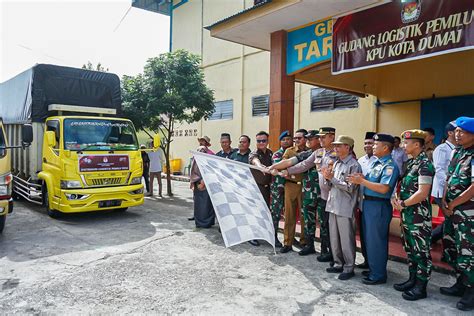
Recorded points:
171,90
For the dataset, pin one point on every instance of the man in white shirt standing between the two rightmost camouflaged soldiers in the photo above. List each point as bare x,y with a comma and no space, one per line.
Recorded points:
441,158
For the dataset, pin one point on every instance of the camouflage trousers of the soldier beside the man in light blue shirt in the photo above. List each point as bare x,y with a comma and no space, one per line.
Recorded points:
416,237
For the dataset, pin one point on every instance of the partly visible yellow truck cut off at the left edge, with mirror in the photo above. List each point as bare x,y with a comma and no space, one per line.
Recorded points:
6,178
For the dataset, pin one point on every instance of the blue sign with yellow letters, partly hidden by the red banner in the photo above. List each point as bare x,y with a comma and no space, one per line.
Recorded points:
308,45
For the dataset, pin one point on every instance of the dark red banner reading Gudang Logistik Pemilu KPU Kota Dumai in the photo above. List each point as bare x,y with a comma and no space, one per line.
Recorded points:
401,31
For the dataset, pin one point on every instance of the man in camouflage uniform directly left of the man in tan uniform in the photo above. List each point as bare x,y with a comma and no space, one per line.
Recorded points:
277,197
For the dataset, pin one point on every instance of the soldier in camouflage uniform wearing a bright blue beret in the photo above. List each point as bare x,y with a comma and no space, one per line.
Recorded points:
458,207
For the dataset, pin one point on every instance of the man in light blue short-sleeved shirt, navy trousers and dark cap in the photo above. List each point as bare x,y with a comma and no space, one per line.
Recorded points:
378,184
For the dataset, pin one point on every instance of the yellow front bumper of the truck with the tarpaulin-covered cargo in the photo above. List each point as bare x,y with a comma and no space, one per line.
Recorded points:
107,198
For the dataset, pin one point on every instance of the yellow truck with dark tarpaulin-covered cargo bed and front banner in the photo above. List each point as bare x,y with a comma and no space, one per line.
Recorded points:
84,157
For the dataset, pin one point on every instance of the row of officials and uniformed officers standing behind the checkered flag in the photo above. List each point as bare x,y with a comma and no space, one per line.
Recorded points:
318,173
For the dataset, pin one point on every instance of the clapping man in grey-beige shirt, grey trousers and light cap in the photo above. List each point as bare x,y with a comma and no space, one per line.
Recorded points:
341,204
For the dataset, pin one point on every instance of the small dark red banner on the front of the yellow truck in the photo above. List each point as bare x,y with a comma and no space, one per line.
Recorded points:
103,163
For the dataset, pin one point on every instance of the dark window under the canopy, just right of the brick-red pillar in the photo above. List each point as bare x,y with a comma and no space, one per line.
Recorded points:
326,99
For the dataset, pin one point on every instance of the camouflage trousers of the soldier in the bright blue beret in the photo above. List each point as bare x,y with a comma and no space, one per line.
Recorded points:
458,244
